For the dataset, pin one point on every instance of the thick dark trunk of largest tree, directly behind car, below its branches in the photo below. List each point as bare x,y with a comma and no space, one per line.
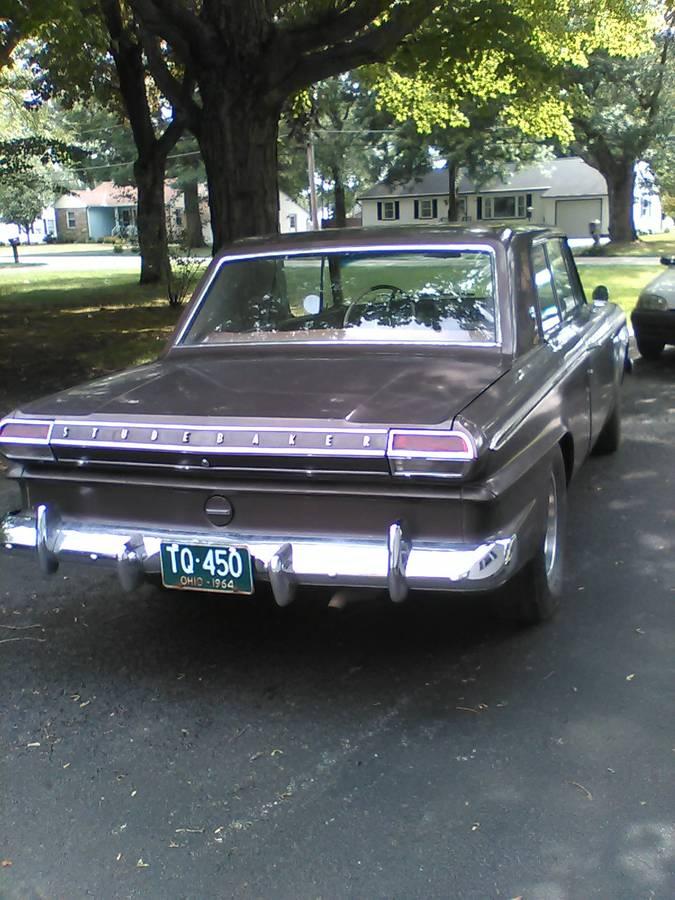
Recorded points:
238,141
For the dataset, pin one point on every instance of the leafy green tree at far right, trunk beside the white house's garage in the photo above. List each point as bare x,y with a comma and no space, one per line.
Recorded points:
622,112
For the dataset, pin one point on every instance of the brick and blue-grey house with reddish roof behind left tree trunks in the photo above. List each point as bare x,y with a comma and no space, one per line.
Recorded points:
90,215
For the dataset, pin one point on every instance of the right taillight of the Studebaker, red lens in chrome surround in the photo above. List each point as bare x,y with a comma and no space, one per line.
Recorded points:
422,452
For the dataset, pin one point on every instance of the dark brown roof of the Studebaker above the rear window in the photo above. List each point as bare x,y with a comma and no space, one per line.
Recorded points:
391,235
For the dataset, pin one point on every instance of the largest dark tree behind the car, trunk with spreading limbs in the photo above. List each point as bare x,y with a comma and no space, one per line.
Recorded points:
247,59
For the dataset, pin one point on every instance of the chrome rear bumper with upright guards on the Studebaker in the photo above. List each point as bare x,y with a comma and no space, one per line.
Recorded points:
395,562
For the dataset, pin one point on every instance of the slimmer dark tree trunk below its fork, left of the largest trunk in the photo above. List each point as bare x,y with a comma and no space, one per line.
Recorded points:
151,219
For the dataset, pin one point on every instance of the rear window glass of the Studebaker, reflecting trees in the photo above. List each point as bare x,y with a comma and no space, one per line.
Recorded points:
445,295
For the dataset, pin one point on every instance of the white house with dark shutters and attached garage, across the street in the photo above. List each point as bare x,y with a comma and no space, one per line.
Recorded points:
567,193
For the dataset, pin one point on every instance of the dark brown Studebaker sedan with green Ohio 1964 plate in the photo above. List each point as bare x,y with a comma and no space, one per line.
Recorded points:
396,409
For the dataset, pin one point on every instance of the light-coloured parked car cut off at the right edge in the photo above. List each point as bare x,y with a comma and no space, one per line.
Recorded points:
654,316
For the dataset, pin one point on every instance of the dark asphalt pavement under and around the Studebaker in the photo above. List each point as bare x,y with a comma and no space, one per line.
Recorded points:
171,746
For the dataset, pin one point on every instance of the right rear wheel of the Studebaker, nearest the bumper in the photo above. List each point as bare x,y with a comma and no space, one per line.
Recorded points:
536,590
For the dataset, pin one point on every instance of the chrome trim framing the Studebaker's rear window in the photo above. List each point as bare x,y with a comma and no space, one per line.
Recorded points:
369,248
